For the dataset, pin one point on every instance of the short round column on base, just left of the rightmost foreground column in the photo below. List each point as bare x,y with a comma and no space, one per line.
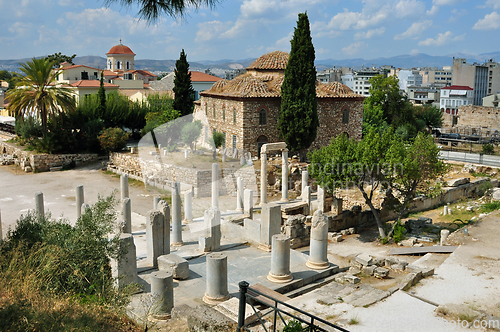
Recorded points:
280,260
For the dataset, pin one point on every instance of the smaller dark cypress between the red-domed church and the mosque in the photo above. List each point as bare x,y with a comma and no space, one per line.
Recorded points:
183,89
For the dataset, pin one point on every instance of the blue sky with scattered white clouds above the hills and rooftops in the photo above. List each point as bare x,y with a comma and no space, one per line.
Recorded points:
237,30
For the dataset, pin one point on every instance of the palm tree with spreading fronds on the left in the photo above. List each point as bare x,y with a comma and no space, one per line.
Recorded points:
37,93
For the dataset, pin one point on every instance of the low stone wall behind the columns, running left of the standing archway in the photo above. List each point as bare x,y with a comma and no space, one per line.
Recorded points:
162,175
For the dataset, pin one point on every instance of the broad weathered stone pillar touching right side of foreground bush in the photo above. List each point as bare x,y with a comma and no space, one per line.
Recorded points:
124,270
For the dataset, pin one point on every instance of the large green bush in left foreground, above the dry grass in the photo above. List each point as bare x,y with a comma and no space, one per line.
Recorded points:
57,257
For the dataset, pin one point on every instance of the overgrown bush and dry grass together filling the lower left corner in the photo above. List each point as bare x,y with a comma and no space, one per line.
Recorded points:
57,277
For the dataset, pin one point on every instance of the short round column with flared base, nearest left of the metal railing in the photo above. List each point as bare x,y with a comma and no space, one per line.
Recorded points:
216,279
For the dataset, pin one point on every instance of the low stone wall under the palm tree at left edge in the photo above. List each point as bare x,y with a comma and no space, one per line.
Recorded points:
32,162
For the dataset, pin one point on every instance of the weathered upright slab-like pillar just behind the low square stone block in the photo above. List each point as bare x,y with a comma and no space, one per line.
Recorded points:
154,237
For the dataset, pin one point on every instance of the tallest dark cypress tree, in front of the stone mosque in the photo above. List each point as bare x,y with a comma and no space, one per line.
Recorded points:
298,120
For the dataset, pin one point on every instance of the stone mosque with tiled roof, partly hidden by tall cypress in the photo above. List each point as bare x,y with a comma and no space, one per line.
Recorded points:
246,108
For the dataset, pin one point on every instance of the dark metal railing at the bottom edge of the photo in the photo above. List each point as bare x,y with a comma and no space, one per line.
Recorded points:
278,310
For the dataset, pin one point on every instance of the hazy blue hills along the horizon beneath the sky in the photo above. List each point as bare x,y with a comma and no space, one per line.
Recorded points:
220,66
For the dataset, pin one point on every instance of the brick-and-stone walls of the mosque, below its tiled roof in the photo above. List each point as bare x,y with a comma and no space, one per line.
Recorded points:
240,117
